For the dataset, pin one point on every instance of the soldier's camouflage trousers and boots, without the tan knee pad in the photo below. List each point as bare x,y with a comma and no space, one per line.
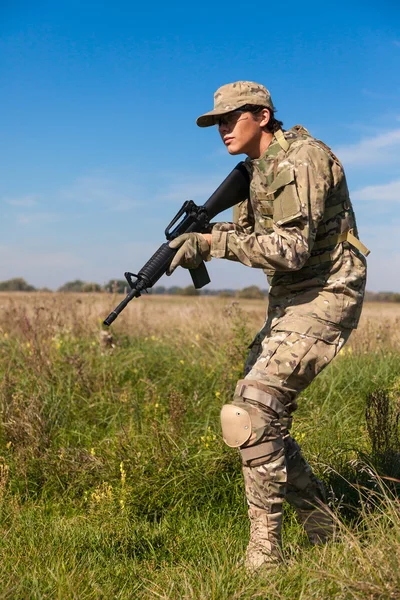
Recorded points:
280,366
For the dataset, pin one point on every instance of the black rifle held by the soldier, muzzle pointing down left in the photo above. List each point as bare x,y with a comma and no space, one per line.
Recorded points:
234,189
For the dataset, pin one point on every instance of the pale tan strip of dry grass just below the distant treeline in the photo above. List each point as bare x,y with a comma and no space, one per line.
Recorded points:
208,317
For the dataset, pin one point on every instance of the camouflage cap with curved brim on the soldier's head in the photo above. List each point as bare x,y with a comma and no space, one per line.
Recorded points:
232,96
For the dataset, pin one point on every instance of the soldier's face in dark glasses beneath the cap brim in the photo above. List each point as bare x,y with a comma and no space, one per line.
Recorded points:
243,132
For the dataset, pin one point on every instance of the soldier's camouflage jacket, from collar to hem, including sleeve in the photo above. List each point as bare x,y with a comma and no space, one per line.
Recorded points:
299,203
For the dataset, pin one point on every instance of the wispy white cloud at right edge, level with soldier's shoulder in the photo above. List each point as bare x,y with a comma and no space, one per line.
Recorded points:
384,147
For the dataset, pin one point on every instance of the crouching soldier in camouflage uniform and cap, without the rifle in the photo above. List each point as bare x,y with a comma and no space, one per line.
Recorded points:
298,225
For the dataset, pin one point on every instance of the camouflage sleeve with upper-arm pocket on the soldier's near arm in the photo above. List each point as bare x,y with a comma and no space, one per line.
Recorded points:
298,192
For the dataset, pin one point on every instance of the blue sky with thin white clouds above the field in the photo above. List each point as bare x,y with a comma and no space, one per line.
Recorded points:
99,145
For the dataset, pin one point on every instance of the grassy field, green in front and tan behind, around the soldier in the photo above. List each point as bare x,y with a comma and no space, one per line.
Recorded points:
114,481
